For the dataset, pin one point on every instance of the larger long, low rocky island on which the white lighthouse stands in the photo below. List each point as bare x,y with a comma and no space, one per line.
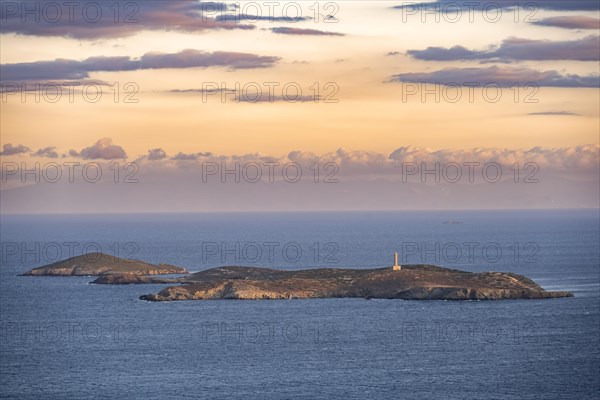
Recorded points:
413,282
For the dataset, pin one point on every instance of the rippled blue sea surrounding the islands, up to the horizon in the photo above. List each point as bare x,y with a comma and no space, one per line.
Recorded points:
63,338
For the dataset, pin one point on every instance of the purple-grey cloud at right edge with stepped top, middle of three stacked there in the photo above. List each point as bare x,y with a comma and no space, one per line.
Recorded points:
585,49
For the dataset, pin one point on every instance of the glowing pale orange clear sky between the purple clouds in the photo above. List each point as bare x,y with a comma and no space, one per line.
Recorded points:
370,114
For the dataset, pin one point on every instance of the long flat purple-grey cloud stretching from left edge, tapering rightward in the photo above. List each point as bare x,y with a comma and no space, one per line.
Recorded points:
73,69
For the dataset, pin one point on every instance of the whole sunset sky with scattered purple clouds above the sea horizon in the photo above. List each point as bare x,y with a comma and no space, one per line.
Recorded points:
361,98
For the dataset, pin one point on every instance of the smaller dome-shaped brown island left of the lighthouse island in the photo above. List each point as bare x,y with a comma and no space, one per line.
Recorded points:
95,264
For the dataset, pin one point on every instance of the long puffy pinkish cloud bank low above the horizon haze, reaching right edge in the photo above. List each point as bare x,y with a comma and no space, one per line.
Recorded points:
356,163
